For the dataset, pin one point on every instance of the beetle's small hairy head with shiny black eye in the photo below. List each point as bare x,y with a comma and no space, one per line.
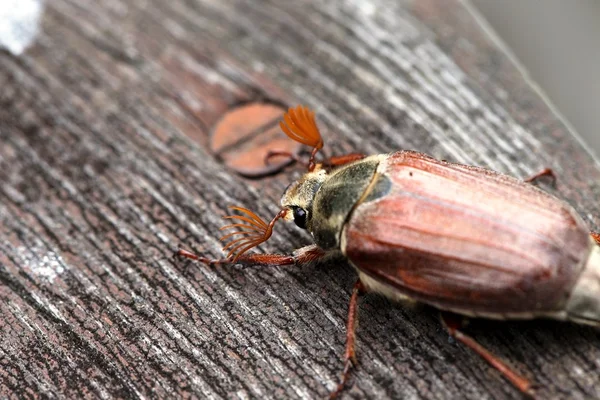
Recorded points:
298,197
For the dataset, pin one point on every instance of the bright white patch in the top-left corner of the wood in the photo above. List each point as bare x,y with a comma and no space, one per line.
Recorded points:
19,21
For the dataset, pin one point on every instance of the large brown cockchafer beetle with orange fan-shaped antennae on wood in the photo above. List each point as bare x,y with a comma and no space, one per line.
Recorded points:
463,239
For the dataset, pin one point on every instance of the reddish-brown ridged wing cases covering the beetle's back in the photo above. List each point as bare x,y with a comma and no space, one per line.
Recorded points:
467,239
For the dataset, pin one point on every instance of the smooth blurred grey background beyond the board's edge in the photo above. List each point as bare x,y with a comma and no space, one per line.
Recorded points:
557,42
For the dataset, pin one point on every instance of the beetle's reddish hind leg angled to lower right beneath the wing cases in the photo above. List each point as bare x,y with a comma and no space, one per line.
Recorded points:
452,323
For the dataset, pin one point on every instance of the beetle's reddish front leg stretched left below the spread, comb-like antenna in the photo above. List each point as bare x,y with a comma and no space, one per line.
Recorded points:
301,256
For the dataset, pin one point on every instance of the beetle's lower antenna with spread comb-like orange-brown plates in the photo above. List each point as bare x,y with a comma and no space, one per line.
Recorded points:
254,231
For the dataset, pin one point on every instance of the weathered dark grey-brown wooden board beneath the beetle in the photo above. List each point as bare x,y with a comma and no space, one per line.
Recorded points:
104,170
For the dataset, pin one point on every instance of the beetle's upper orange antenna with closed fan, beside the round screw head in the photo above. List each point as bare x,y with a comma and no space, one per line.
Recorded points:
299,124
